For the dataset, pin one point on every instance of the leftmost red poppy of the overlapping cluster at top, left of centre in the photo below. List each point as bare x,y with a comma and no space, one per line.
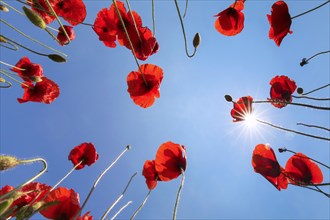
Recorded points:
105,27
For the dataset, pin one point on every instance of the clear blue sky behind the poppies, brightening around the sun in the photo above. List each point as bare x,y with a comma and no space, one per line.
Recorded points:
94,106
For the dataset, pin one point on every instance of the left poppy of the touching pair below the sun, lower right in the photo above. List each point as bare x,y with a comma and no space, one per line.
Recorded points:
264,162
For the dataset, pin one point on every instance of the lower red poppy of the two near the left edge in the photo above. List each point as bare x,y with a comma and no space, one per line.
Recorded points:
45,91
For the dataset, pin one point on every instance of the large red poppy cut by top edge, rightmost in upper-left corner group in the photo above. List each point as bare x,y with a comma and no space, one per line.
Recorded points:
73,11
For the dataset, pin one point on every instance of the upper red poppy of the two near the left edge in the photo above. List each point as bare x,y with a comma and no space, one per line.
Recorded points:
32,72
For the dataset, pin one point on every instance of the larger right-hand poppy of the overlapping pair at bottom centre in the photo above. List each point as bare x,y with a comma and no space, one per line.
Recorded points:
170,160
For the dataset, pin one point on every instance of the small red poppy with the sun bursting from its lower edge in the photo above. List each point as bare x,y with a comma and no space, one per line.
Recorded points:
242,108
